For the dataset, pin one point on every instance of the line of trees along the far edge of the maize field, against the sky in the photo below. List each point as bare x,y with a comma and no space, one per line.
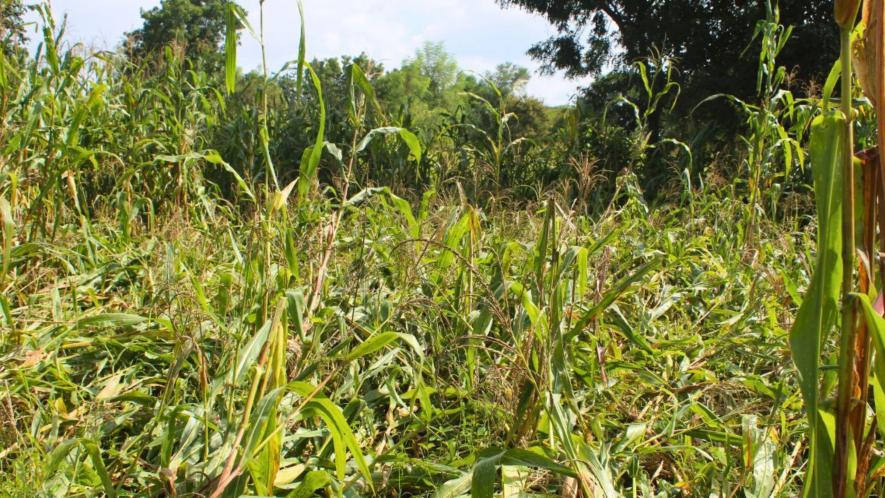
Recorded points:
651,63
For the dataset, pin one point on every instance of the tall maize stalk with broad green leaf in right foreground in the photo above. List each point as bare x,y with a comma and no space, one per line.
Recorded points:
850,201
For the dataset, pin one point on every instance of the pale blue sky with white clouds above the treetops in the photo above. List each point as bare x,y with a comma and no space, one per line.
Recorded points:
479,33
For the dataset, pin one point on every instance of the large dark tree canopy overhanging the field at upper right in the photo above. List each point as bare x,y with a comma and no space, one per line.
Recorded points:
707,38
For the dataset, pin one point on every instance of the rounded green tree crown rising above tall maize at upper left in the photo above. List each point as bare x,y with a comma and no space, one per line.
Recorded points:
196,27
